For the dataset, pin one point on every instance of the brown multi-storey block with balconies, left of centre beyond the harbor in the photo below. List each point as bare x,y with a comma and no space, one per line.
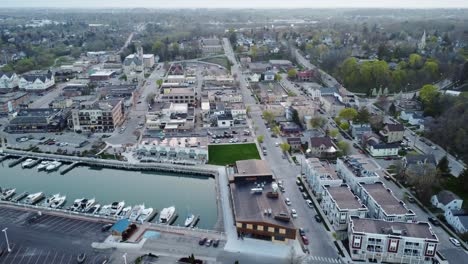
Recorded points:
97,116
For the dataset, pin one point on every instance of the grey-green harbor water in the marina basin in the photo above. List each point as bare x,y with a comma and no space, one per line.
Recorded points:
188,193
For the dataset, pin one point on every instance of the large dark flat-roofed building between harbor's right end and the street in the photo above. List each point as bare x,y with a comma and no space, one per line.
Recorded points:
258,207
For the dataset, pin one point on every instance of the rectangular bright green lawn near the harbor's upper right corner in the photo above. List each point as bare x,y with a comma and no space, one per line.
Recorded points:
229,154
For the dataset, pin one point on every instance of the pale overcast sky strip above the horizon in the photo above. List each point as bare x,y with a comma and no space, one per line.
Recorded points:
238,3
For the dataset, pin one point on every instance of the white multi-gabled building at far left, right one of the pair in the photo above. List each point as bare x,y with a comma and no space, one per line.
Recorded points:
36,81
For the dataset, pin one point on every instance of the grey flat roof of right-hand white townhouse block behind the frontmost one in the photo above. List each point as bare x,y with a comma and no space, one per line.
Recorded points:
385,198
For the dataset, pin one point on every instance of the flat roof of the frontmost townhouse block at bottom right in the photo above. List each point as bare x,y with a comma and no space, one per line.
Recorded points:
419,230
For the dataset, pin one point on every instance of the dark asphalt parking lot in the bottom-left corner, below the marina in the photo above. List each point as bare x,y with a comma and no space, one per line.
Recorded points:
66,238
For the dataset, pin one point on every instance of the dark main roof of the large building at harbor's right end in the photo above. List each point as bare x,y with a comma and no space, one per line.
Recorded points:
250,206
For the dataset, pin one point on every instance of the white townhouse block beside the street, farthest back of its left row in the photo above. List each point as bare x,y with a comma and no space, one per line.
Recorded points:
319,174
